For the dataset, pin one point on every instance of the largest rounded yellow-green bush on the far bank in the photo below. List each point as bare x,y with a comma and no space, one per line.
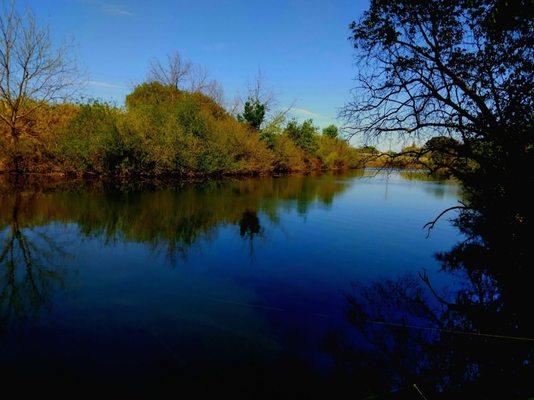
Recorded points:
162,131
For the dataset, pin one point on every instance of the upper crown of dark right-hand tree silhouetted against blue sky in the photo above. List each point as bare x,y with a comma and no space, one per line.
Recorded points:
458,68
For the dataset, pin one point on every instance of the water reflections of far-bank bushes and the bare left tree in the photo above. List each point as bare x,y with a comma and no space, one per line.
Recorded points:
168,220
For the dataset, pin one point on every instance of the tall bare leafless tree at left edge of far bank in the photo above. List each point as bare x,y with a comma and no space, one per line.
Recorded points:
33,73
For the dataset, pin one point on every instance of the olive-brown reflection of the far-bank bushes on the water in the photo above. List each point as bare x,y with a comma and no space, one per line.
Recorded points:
172,220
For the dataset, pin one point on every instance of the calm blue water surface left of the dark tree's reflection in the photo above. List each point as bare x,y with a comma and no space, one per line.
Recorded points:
210,284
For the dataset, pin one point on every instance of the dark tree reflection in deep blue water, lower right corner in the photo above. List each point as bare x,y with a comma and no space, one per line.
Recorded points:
472,341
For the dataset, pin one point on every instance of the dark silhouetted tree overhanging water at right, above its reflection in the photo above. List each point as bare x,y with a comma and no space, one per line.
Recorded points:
459,69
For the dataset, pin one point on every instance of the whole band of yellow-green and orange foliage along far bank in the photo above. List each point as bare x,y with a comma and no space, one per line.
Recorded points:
165,130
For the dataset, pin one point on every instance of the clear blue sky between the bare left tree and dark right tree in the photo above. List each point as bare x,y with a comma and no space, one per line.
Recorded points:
301,46
